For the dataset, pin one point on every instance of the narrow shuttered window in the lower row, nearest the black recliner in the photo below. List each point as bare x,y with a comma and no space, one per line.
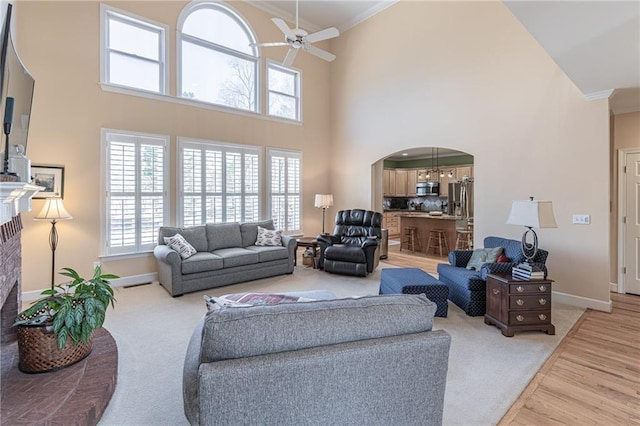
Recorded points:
285,174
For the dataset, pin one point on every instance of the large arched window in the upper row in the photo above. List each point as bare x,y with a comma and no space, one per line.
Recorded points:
217,63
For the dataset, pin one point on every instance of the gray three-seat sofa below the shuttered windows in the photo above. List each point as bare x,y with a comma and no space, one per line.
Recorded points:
226,254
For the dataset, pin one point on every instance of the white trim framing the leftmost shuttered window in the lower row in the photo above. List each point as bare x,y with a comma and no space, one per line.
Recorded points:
104,251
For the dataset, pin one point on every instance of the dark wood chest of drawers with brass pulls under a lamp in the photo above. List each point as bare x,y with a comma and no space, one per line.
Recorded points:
514,305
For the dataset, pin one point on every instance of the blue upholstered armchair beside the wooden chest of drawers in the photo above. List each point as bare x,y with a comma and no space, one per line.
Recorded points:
467,286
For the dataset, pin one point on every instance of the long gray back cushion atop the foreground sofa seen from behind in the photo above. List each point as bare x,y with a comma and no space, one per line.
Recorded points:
256,330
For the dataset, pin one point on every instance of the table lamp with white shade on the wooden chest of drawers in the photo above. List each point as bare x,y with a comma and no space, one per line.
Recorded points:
531,214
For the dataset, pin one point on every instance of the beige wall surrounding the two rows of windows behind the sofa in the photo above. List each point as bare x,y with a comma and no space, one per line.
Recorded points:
59,43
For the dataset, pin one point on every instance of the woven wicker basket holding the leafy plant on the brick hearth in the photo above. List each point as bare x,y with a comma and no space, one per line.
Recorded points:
38,350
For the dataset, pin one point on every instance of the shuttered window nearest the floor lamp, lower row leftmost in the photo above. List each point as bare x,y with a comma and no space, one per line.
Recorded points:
136,189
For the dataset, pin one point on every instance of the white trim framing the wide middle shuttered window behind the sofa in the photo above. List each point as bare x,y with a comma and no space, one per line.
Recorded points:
186,142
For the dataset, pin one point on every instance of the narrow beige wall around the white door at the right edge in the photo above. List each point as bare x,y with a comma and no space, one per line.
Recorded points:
626,135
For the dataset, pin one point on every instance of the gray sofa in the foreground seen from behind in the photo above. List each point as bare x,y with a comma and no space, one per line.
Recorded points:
367,361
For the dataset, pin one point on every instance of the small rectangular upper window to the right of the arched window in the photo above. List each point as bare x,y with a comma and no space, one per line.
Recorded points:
283,91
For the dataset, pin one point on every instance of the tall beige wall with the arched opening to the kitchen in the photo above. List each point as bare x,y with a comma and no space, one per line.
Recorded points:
467,76
